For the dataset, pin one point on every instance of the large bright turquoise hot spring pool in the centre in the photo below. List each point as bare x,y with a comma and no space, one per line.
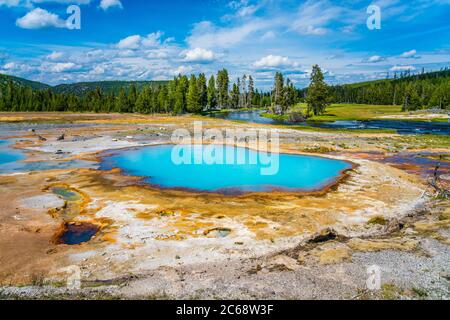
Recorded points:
295,172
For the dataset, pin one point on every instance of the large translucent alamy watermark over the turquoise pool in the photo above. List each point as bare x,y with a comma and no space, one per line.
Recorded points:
227,147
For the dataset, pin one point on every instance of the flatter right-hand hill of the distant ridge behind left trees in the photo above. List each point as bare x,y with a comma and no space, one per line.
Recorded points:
83,88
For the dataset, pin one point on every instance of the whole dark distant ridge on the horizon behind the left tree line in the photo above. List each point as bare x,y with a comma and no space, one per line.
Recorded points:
79,88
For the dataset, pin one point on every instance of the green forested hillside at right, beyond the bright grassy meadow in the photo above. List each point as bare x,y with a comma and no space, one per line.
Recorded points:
412,91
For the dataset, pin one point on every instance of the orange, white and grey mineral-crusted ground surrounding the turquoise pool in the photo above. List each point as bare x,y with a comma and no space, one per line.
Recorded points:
171,244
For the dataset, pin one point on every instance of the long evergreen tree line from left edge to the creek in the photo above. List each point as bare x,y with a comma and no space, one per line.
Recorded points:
192,94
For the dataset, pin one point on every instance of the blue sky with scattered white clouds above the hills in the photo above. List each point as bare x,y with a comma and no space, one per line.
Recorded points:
145,40
